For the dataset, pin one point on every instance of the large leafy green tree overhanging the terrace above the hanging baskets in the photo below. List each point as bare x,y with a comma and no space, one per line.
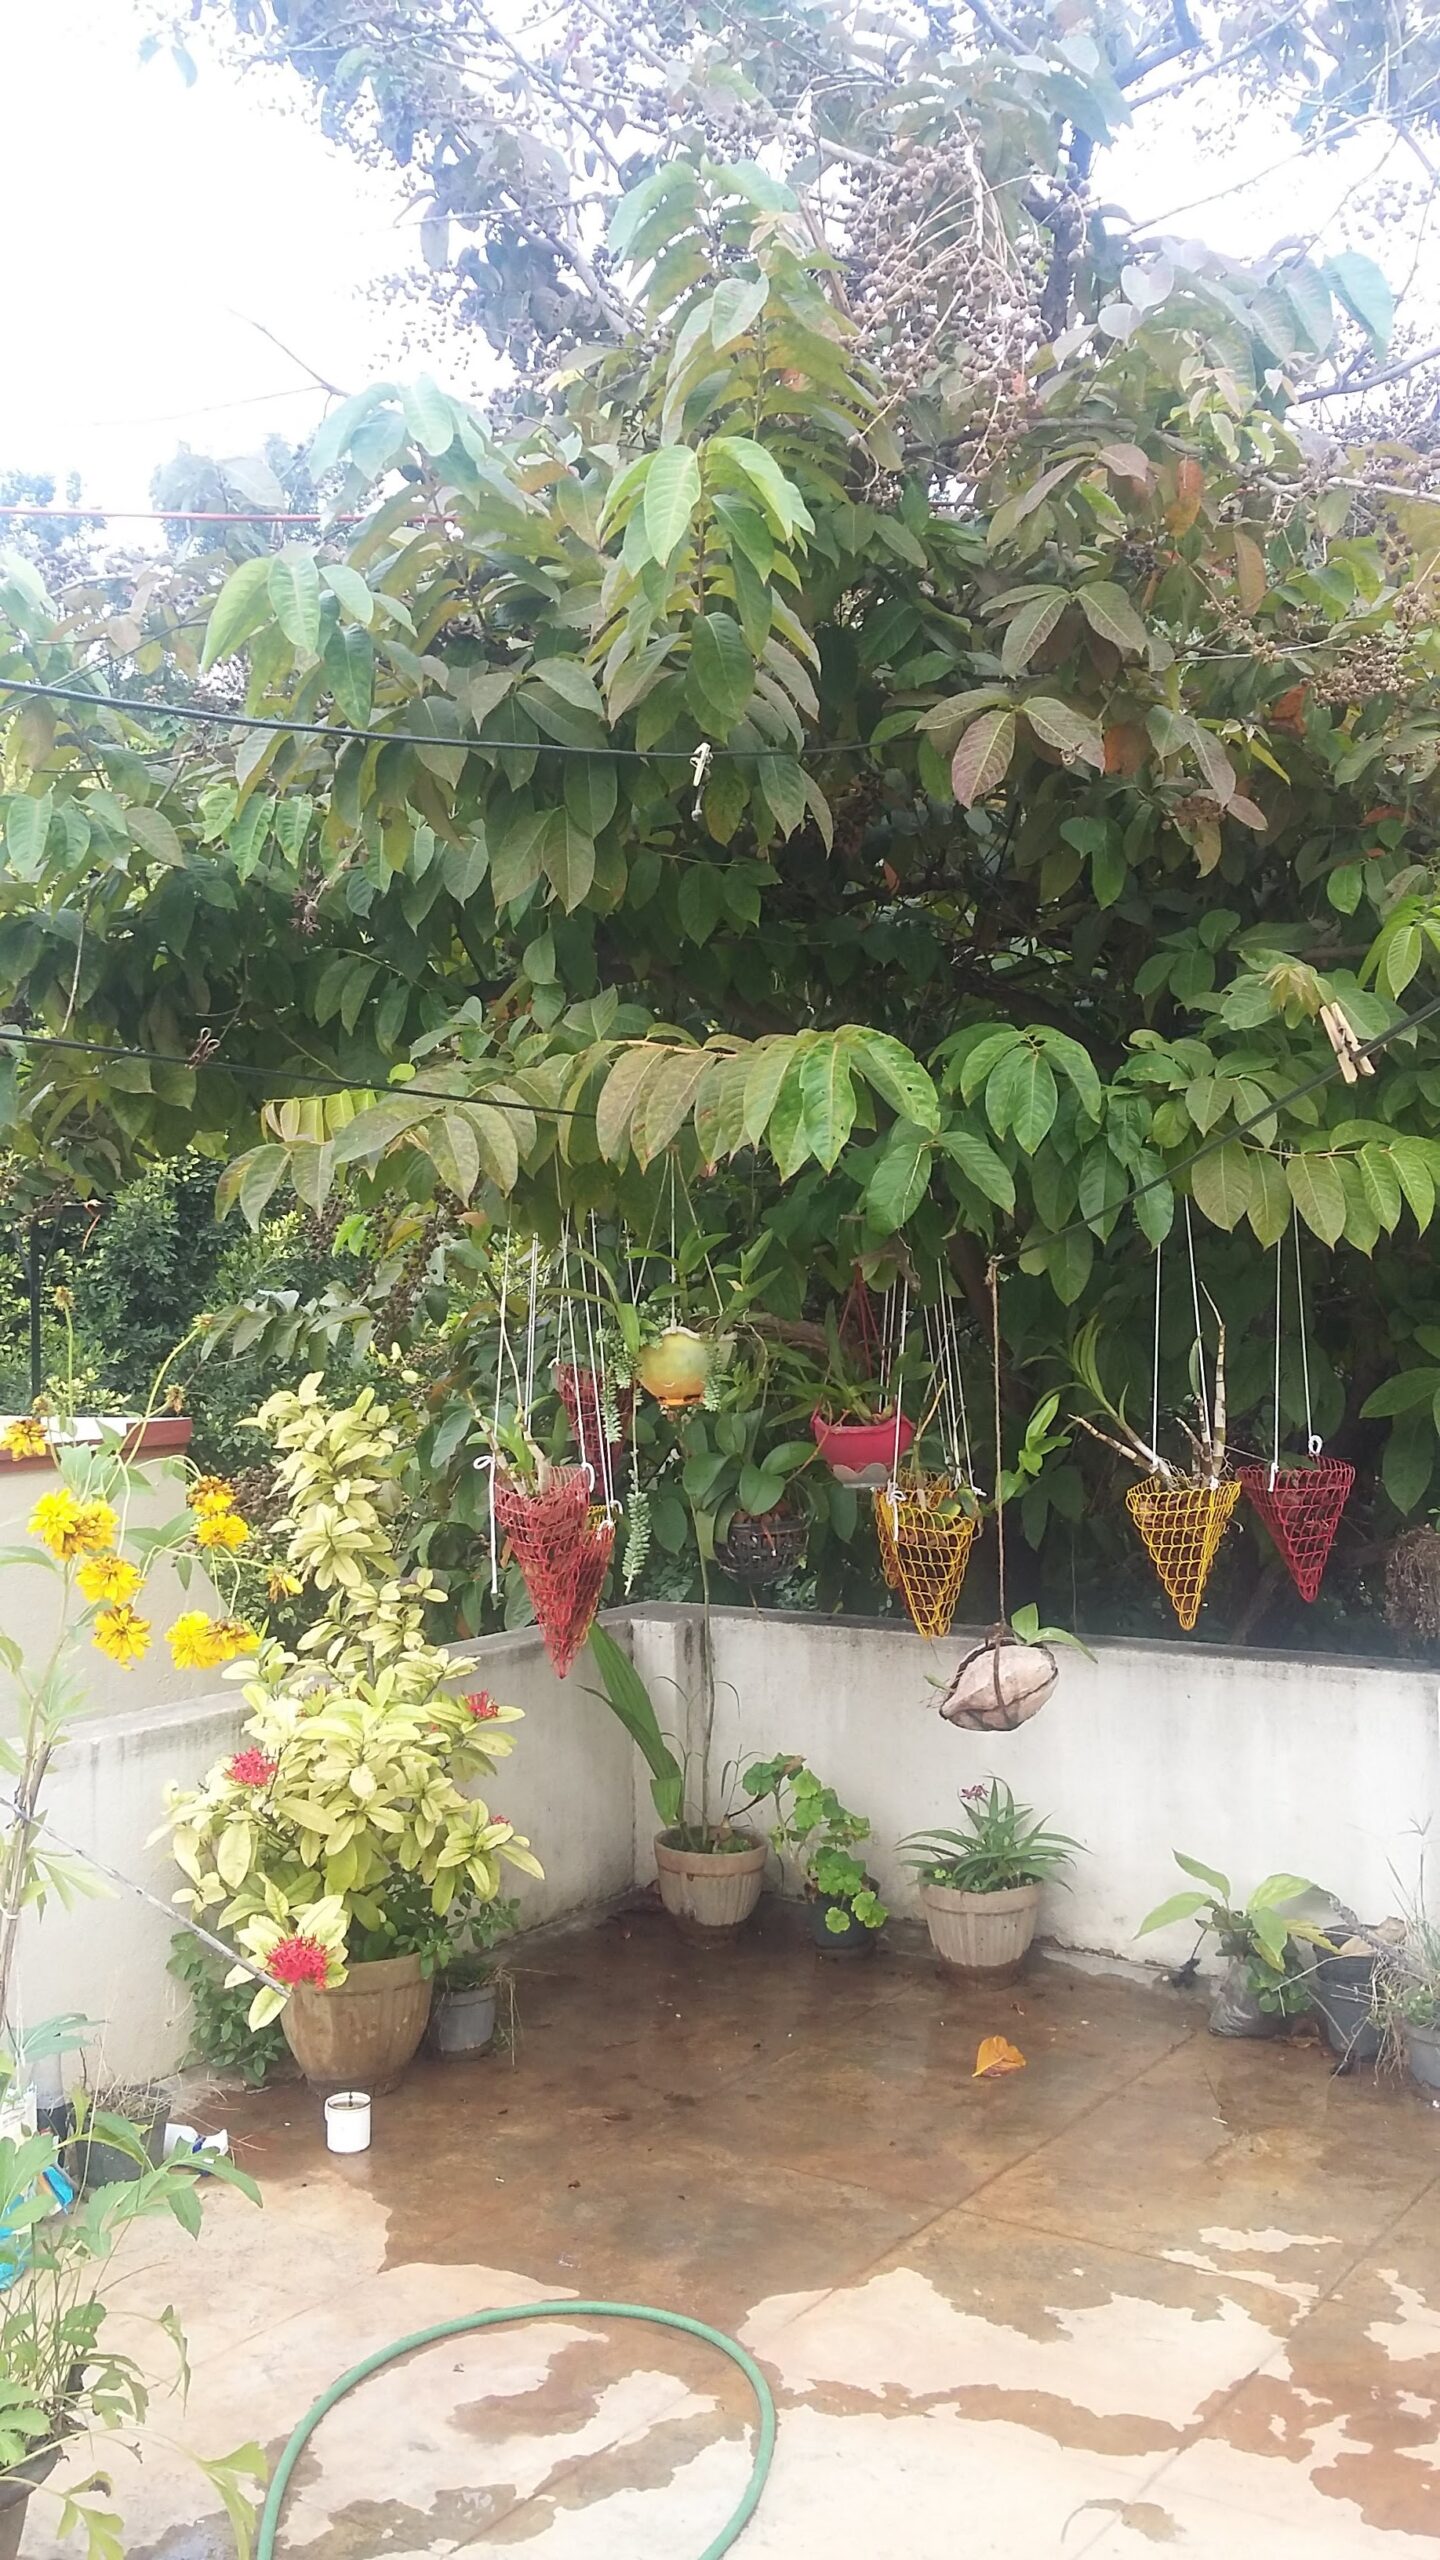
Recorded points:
919,800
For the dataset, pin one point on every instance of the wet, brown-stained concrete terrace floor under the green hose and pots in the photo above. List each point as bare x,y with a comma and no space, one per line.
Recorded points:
1154,2290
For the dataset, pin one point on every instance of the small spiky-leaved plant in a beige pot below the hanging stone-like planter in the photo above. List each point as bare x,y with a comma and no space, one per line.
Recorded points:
980,1888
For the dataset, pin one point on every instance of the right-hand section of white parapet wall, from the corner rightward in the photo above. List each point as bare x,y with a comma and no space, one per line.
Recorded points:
1252,1763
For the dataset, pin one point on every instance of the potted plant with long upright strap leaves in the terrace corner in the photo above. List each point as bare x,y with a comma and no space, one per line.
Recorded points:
711,1870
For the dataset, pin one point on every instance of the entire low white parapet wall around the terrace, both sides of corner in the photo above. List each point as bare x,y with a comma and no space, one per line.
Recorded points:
1244,1760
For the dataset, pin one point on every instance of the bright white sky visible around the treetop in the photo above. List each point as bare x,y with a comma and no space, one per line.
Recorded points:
160,221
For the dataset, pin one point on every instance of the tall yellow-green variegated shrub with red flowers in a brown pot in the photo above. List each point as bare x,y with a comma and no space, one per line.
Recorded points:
342,1844
